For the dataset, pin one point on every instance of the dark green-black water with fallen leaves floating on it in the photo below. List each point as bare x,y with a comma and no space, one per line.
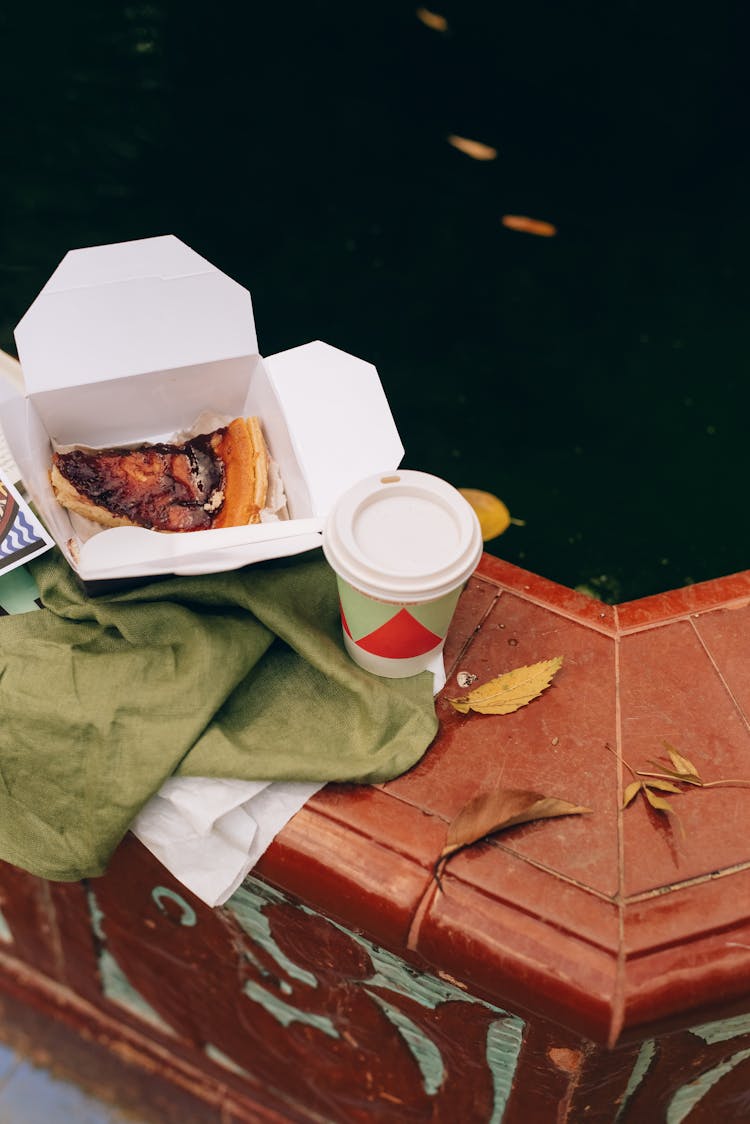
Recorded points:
598,382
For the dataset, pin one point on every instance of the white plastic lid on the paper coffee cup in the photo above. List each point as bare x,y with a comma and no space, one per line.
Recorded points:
403,536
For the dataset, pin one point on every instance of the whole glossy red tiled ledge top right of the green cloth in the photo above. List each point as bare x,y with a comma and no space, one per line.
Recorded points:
608,923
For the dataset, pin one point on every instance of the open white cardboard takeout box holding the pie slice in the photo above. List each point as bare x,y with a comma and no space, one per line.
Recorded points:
132,343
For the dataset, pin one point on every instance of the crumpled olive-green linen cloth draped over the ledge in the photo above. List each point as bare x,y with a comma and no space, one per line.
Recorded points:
239,675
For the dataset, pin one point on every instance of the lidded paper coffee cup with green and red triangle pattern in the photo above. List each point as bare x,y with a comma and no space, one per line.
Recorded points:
402,545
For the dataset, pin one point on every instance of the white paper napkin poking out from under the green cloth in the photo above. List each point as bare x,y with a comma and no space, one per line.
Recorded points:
211,833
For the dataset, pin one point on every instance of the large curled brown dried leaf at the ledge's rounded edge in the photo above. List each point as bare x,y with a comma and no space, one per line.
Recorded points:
493,812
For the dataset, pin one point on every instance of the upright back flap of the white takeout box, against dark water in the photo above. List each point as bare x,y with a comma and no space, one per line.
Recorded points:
130,309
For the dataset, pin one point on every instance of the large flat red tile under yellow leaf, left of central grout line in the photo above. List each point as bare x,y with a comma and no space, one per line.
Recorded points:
547,747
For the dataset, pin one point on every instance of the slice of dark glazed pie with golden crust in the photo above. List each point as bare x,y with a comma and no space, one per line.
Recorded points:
218,479
